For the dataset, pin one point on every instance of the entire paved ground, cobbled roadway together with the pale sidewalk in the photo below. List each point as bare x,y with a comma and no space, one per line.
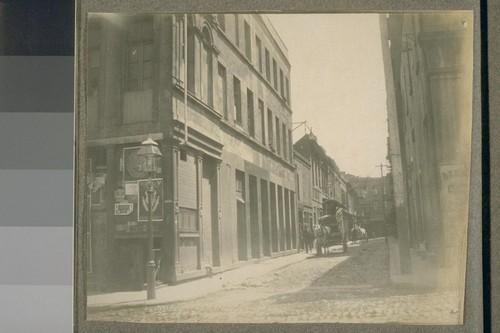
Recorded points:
363,286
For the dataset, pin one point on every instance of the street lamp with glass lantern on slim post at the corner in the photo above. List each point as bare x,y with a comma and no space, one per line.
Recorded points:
150,159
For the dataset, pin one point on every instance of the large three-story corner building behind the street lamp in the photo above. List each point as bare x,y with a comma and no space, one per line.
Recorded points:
214,92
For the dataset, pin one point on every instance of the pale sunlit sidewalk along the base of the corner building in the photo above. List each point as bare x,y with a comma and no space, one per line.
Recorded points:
192,289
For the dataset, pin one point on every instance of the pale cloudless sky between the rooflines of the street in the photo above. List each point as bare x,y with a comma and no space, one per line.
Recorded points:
338,85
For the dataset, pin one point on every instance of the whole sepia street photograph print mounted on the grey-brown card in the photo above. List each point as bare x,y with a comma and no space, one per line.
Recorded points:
277,168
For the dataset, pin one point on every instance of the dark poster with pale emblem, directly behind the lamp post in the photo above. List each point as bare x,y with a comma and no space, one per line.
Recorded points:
156,200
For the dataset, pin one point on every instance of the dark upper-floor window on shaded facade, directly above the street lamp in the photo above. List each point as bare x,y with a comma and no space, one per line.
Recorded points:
139,73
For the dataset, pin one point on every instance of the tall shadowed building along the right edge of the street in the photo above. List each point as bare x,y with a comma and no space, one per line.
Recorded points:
428,67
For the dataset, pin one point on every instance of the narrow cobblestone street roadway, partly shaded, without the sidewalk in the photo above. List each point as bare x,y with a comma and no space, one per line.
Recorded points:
353,288
